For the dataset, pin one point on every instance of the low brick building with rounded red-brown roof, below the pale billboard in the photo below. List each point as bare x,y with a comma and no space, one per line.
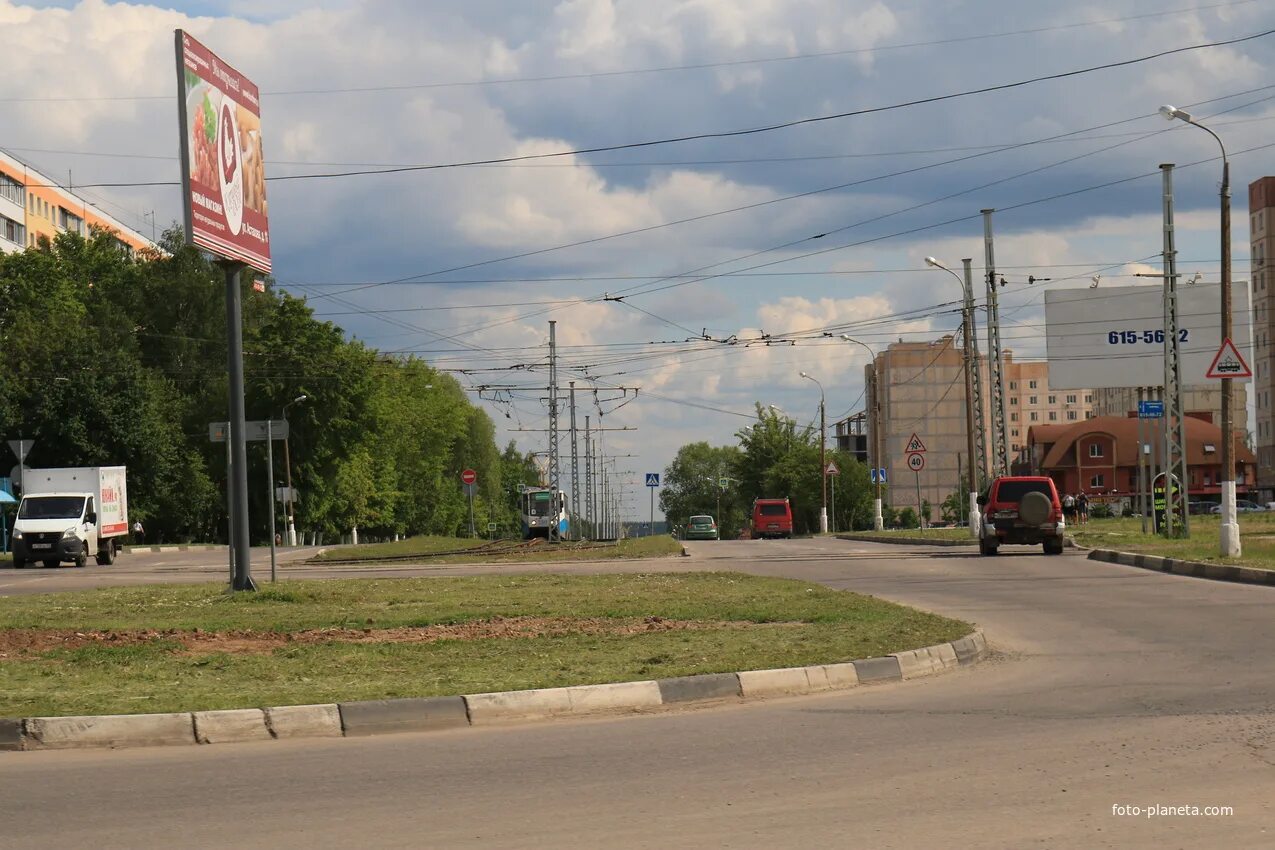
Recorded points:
1100,457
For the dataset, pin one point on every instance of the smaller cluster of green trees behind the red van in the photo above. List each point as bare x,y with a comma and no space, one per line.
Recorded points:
775,458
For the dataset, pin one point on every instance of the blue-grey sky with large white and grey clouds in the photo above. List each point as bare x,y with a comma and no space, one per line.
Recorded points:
670,267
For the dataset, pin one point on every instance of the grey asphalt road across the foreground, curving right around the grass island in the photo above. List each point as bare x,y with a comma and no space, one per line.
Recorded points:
1110,688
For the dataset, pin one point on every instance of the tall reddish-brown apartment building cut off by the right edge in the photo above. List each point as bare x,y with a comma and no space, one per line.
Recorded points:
1262,240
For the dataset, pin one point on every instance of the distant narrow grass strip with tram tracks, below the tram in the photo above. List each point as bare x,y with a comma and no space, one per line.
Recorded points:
428,547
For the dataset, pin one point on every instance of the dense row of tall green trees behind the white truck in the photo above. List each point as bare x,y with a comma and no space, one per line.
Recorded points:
109,360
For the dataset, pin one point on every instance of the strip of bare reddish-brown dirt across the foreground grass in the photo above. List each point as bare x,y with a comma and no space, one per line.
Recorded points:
25,643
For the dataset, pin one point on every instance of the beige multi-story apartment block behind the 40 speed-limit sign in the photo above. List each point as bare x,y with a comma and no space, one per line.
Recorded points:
922,389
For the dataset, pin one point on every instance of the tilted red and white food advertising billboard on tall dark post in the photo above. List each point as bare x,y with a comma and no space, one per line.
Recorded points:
222,171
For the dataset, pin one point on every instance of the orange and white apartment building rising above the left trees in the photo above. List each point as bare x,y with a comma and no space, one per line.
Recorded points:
33,208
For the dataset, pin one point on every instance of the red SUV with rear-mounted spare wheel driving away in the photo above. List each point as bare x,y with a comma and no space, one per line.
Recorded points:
1022,509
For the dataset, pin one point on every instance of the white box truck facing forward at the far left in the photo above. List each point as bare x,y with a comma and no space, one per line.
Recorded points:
67,514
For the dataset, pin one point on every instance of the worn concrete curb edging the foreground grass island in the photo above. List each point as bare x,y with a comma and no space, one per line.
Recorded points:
432,714
